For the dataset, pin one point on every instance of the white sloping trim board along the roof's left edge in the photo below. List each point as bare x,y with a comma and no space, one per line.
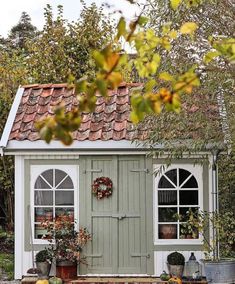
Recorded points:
11,117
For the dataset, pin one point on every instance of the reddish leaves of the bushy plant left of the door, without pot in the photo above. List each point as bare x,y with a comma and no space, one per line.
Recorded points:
68,242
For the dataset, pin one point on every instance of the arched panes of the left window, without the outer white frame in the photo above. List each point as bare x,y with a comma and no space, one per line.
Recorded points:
53,196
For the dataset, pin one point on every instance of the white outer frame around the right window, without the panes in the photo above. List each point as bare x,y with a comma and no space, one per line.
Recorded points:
197,172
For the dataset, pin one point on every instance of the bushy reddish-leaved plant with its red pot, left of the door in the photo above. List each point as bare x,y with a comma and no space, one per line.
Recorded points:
66,245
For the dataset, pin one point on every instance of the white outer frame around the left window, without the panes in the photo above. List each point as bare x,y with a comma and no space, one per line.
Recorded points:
72,171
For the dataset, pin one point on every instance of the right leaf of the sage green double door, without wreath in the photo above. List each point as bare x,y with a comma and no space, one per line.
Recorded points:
131,193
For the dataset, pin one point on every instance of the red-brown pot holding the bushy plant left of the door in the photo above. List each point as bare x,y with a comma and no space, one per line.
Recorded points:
66,269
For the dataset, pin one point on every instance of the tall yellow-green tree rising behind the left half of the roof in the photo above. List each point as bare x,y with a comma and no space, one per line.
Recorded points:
66,47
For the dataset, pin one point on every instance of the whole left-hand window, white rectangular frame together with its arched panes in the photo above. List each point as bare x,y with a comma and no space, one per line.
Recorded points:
53,192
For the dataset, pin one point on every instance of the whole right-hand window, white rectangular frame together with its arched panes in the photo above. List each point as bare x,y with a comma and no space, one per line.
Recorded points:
176,188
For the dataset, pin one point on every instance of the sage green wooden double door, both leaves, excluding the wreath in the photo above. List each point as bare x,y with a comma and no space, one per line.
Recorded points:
121,225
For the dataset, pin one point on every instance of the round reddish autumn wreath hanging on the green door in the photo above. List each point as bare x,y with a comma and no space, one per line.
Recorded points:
102,187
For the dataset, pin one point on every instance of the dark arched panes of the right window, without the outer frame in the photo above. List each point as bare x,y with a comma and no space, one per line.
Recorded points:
177,192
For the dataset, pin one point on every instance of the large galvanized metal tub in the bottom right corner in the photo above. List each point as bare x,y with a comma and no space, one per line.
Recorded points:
222,271
